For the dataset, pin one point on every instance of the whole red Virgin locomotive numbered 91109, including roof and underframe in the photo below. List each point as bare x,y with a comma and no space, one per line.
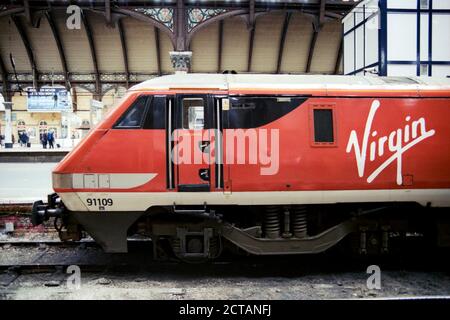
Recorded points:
274,164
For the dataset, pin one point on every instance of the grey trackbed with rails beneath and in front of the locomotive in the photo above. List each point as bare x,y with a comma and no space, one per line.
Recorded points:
41,268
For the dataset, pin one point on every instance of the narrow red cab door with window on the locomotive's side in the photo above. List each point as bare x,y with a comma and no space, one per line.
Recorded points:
193,142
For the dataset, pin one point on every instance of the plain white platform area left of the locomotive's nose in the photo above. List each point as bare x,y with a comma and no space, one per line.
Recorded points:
25,182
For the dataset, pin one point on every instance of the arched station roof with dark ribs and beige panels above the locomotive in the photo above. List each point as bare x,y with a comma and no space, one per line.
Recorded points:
121,43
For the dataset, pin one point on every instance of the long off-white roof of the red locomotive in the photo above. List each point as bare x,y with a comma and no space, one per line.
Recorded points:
237,82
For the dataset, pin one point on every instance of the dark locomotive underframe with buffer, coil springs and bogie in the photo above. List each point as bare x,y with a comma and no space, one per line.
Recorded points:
201,233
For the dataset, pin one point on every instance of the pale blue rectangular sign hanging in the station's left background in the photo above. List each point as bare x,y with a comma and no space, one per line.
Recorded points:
49,100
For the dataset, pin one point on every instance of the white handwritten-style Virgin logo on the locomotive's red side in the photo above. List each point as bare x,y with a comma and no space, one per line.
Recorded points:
397,142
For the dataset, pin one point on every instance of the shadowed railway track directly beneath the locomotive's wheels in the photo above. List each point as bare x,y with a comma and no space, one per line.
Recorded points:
18,253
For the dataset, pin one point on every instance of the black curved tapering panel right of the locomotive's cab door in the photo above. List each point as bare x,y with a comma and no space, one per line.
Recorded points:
252,112
